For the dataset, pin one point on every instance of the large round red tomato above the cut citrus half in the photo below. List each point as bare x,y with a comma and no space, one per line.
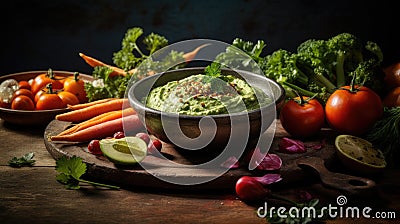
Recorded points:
353,111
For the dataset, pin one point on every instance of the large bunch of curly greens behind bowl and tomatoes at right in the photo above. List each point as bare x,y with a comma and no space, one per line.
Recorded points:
318,67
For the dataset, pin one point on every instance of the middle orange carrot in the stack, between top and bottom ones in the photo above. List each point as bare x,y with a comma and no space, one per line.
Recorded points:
112,115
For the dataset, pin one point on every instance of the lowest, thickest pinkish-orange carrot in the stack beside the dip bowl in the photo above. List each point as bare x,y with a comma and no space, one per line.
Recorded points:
102,130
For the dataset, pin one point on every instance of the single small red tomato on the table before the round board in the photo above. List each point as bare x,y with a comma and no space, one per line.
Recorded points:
249,189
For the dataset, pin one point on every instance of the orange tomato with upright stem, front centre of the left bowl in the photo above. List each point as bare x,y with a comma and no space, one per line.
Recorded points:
49,100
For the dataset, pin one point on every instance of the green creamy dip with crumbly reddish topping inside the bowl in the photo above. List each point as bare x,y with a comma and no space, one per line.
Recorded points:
206,95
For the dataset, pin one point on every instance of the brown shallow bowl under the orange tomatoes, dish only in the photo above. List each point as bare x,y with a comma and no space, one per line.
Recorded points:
37,117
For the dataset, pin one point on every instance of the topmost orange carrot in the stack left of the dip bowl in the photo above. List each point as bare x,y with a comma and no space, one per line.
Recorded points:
92,111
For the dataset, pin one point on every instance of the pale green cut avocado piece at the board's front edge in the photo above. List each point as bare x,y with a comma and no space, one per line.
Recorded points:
124,151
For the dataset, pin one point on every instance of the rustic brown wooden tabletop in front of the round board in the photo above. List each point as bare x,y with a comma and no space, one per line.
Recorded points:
32,194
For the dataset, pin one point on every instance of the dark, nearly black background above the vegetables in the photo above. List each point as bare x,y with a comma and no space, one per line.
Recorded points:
37,35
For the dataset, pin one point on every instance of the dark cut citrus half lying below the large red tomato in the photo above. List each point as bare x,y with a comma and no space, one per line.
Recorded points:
359,154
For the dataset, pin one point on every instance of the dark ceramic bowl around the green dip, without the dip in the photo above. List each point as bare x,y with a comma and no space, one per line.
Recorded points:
236,127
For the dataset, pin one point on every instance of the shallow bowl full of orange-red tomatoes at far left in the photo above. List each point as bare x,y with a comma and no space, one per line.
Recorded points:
36,97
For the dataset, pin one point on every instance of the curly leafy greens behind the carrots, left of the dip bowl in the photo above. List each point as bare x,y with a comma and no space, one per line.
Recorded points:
129,57
